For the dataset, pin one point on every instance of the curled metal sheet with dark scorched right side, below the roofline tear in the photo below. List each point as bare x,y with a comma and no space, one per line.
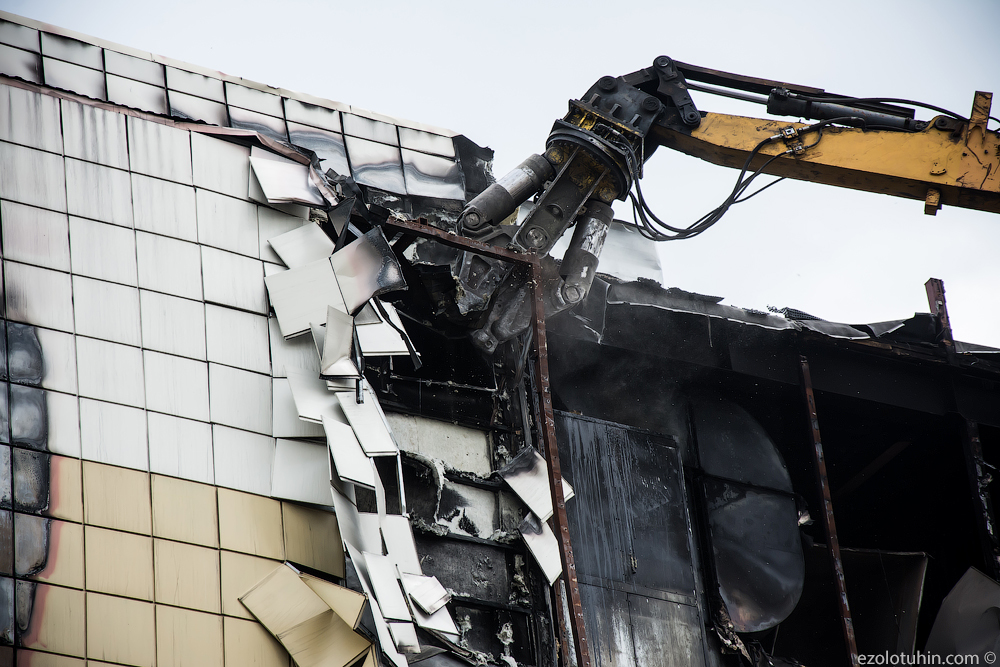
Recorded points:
366,268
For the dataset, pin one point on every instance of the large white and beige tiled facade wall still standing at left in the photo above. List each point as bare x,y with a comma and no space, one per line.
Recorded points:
137,351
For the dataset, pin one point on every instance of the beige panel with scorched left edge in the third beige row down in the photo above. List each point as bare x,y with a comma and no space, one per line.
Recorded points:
57,621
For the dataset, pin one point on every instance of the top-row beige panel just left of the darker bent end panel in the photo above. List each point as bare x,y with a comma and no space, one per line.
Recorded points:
250,524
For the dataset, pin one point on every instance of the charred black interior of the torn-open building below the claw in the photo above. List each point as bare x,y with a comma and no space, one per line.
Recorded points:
754,487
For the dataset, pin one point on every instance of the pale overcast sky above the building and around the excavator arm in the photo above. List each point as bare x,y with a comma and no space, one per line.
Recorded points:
501,73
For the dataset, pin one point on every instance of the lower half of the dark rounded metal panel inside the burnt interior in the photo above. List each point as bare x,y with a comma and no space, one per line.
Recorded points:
757,552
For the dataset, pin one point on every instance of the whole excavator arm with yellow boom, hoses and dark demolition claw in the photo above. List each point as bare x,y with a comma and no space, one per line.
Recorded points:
595,154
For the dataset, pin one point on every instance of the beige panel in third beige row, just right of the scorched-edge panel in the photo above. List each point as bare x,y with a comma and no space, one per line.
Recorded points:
121,630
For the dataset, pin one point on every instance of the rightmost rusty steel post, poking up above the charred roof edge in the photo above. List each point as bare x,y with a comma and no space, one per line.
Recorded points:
972,448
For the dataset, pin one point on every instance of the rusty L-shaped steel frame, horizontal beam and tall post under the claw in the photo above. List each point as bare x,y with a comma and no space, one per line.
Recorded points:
546,426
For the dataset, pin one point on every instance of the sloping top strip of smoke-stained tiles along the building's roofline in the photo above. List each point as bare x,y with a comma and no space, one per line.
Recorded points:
377,151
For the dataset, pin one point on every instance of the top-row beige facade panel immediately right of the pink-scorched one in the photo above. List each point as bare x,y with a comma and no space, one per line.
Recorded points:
116,498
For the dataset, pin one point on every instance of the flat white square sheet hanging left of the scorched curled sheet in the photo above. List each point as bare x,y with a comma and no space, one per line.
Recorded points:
301,296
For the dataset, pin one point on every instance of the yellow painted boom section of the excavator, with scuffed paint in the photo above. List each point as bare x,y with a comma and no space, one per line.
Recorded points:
959,167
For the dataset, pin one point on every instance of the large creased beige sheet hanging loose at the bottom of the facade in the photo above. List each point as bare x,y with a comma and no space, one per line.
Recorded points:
312,632
